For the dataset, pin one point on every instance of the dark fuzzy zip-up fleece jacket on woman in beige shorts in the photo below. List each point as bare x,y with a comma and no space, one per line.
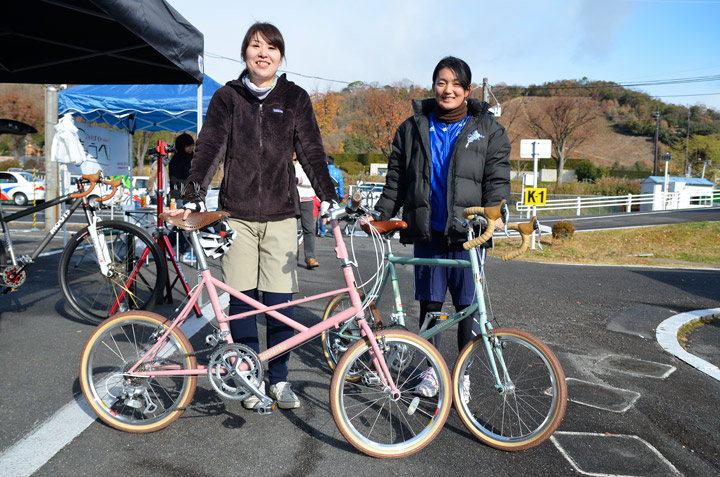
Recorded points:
257,139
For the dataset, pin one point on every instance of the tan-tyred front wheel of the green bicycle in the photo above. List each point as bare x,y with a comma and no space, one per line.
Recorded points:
531,403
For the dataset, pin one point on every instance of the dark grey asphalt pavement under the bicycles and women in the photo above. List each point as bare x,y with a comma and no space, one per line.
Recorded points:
634,408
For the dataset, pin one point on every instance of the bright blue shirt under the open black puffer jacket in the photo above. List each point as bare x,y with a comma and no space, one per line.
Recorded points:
442,142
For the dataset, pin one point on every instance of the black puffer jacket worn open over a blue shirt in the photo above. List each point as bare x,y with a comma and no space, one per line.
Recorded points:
479,173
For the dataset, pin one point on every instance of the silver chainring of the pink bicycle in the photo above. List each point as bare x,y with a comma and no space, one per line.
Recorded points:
226,374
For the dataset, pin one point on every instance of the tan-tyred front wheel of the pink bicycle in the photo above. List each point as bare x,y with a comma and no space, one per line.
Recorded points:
370,417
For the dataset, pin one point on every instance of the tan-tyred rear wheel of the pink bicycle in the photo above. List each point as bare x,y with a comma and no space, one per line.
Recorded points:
134,403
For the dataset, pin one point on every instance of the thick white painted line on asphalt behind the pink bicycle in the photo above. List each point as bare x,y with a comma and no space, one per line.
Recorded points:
34,450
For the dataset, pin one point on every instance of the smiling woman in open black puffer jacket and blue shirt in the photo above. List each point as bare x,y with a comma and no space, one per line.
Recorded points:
451,154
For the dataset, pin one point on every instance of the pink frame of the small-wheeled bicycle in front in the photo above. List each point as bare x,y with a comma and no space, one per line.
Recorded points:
212,284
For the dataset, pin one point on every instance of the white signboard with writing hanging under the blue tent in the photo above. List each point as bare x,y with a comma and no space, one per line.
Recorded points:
107,150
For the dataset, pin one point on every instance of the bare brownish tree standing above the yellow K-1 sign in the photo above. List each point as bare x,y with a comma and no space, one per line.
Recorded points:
565,120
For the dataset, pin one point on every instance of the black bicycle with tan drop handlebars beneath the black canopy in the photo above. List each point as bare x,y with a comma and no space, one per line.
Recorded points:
107,267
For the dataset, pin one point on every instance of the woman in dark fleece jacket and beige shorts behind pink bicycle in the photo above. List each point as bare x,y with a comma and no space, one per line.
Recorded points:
253,126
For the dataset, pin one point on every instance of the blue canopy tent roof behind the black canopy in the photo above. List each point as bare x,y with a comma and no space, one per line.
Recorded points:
139,107
